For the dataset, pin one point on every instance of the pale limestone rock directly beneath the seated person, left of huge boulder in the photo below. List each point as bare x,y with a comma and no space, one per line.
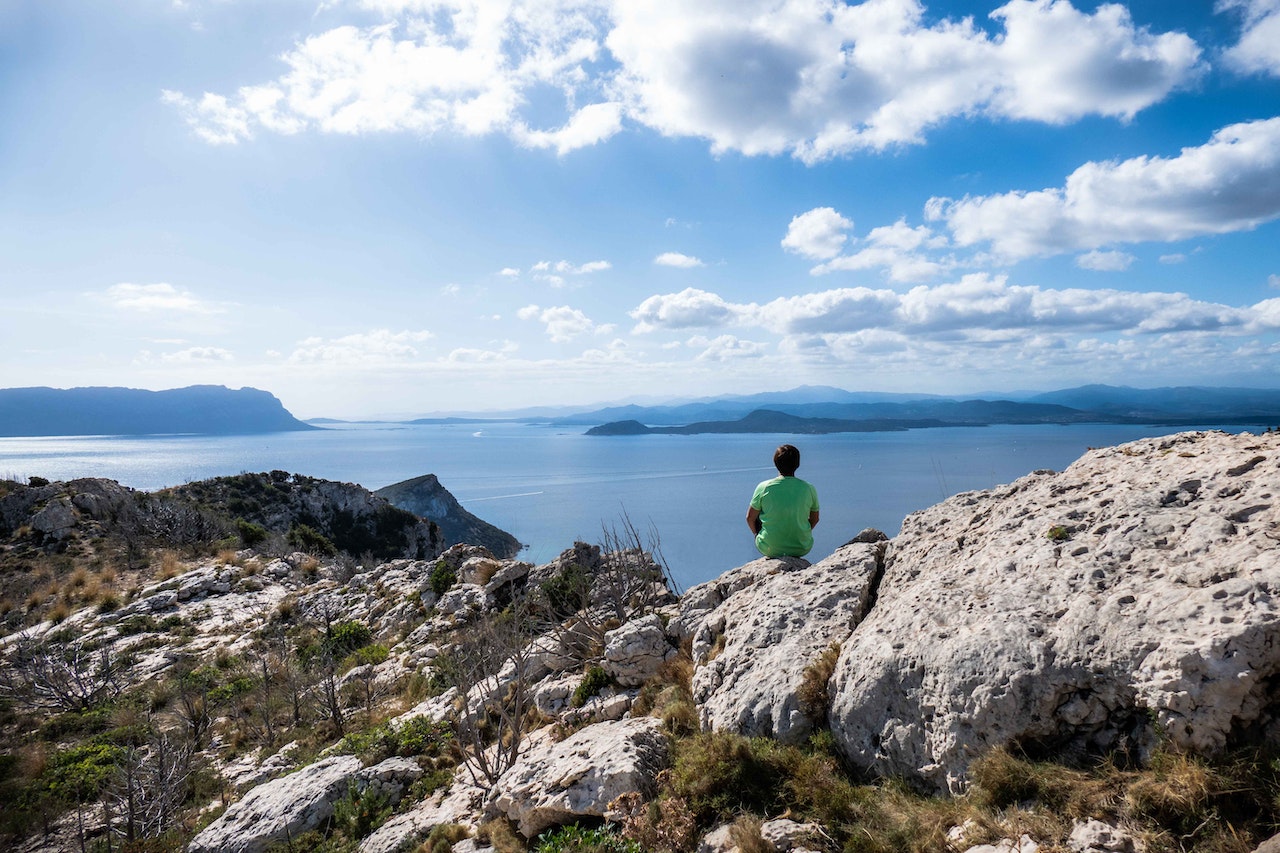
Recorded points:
772,628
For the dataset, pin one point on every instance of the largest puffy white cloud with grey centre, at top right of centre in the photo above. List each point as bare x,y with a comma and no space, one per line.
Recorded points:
819,79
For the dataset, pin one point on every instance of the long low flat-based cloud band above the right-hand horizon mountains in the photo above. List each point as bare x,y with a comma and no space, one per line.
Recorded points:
976,308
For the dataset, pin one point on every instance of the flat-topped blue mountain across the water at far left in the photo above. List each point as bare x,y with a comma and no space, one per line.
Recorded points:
207,410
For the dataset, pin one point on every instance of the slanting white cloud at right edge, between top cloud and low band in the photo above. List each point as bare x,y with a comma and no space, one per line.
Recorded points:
1231,184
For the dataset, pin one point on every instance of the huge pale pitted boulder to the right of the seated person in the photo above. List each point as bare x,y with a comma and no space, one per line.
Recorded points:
1086,610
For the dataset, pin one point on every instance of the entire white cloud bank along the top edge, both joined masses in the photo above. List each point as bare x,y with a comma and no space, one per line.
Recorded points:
813,79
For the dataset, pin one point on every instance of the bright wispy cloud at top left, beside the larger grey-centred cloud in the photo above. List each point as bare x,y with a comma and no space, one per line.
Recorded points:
461,66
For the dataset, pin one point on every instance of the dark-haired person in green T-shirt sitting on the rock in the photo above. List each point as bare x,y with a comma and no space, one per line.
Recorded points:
784,510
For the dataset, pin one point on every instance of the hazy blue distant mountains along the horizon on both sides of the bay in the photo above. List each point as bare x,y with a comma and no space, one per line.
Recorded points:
214,410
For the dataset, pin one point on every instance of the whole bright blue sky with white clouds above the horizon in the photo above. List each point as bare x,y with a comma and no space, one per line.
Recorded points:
408,207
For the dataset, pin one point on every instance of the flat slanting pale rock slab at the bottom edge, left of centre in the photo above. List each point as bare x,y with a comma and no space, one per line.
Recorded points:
280,810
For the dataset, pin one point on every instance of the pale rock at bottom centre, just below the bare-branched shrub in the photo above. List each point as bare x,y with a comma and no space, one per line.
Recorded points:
556,783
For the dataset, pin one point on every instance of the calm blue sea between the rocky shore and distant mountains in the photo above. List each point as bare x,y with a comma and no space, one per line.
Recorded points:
551,486
